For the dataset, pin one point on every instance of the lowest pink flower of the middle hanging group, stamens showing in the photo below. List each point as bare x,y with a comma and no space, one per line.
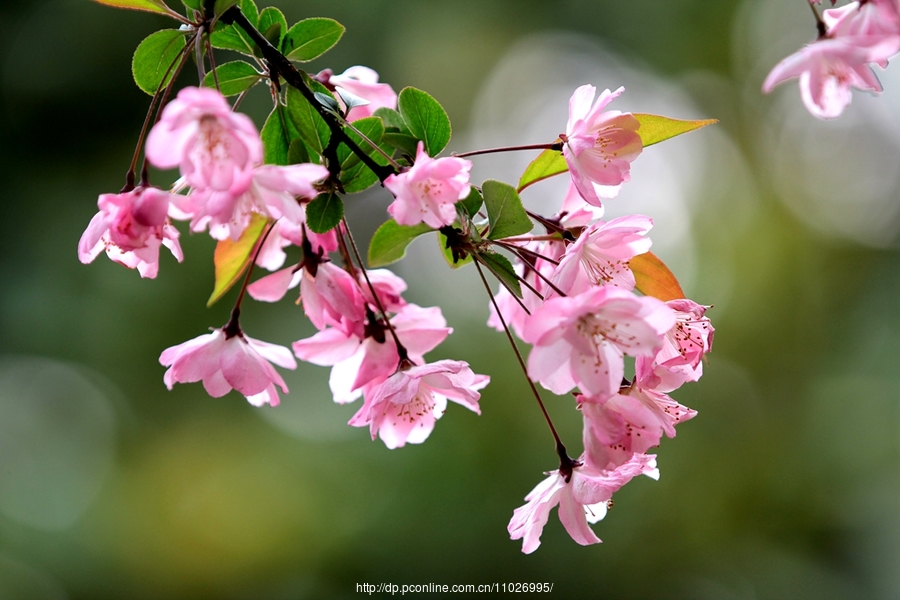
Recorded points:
403,408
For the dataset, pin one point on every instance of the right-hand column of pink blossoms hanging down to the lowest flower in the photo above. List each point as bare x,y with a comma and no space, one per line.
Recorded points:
582,315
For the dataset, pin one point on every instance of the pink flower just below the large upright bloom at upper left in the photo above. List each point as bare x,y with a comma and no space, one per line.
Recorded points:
273,191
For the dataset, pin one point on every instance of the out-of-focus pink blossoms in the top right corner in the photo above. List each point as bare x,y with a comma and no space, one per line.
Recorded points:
851,39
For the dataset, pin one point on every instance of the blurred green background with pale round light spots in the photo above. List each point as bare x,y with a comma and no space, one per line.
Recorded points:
786,485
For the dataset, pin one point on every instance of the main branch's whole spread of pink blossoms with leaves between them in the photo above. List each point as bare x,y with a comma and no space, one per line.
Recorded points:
572,292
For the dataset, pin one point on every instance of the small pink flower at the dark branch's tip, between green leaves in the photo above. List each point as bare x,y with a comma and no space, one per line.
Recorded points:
428,191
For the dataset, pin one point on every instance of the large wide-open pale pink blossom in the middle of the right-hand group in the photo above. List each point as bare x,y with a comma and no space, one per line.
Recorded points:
580,340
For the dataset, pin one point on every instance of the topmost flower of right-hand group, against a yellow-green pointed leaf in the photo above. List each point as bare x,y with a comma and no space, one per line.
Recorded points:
599,146
